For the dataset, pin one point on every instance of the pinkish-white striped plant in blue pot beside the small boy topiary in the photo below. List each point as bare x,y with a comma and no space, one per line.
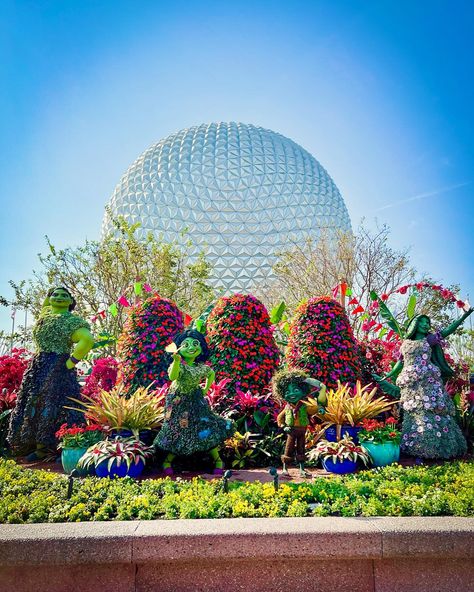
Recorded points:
339,457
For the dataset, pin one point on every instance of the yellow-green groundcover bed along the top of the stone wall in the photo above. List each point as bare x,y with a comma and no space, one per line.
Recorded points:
41,496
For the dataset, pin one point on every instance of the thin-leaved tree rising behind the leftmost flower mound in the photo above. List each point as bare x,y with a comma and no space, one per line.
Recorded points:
98,273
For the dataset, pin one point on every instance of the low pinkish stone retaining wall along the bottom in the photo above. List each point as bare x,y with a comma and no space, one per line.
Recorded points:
287,554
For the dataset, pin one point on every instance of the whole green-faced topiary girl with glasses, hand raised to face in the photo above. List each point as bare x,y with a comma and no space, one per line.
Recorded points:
190,425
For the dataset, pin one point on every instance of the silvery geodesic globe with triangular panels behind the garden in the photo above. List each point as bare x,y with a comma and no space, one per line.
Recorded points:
242,193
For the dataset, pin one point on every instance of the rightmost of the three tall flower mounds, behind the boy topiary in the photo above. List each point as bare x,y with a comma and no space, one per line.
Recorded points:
322,343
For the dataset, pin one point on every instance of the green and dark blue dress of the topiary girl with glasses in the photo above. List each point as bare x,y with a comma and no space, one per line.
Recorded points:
190,425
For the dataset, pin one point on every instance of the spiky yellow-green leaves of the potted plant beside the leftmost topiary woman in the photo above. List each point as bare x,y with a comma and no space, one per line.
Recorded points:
142,410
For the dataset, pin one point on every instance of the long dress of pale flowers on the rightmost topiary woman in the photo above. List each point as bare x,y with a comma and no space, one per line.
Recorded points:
429,426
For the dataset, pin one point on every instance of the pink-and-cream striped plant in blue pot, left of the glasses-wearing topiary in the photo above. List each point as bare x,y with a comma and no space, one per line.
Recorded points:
117,458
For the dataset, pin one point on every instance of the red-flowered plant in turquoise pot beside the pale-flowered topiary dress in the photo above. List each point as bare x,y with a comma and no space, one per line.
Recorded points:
381,440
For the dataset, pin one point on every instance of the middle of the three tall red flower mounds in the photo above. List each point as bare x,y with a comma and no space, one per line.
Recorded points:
243,348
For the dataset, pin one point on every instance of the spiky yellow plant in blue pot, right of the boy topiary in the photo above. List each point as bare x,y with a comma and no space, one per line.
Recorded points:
346,408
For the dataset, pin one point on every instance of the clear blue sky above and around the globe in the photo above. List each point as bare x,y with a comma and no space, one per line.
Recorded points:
380,92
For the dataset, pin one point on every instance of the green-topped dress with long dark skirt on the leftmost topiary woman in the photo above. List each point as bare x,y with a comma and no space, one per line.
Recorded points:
47,384
